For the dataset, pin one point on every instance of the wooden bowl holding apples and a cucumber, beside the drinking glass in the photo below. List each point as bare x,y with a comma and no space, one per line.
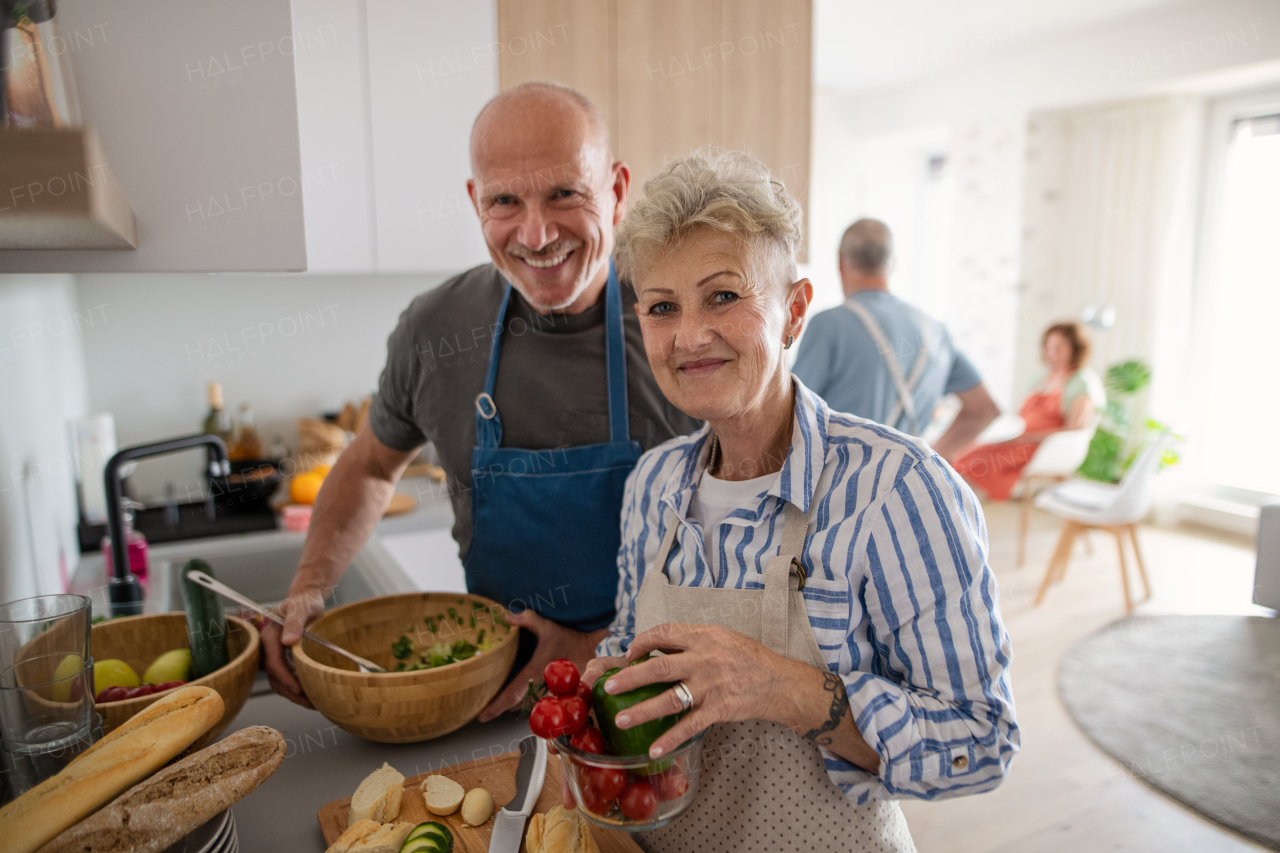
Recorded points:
141,640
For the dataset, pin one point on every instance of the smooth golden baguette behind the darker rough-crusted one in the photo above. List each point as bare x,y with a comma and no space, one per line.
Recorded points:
117,763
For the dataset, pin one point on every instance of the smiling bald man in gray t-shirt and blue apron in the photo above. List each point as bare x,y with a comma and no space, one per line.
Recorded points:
529,376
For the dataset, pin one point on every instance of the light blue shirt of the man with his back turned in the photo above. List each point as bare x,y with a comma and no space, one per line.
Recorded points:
840,362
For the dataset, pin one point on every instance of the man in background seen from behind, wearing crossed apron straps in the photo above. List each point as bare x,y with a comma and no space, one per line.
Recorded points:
879,358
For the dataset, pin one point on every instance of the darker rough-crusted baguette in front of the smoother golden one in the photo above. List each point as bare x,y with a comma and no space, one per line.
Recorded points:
162,810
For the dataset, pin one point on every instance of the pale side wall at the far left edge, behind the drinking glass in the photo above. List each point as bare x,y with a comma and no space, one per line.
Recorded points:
42,391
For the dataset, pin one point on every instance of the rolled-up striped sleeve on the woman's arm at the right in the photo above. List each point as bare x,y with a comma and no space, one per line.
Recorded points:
938,705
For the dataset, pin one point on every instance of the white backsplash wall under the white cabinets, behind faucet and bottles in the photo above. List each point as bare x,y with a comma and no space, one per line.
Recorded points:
292,346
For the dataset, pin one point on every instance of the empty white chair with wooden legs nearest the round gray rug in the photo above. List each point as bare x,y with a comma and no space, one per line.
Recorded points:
1085,505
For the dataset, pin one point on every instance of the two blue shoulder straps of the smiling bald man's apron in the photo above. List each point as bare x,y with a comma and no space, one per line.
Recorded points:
490,425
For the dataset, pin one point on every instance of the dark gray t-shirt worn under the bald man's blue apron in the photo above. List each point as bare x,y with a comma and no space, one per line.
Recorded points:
551,391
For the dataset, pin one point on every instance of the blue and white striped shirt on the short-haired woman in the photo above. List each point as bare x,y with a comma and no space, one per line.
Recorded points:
899,592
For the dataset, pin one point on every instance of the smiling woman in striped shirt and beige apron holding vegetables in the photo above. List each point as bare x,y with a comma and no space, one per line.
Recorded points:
819,583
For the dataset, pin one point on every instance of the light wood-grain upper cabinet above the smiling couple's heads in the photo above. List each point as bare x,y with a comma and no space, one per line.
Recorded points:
676,75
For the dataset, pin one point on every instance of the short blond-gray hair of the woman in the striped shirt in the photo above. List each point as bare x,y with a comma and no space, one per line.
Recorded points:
729,191
